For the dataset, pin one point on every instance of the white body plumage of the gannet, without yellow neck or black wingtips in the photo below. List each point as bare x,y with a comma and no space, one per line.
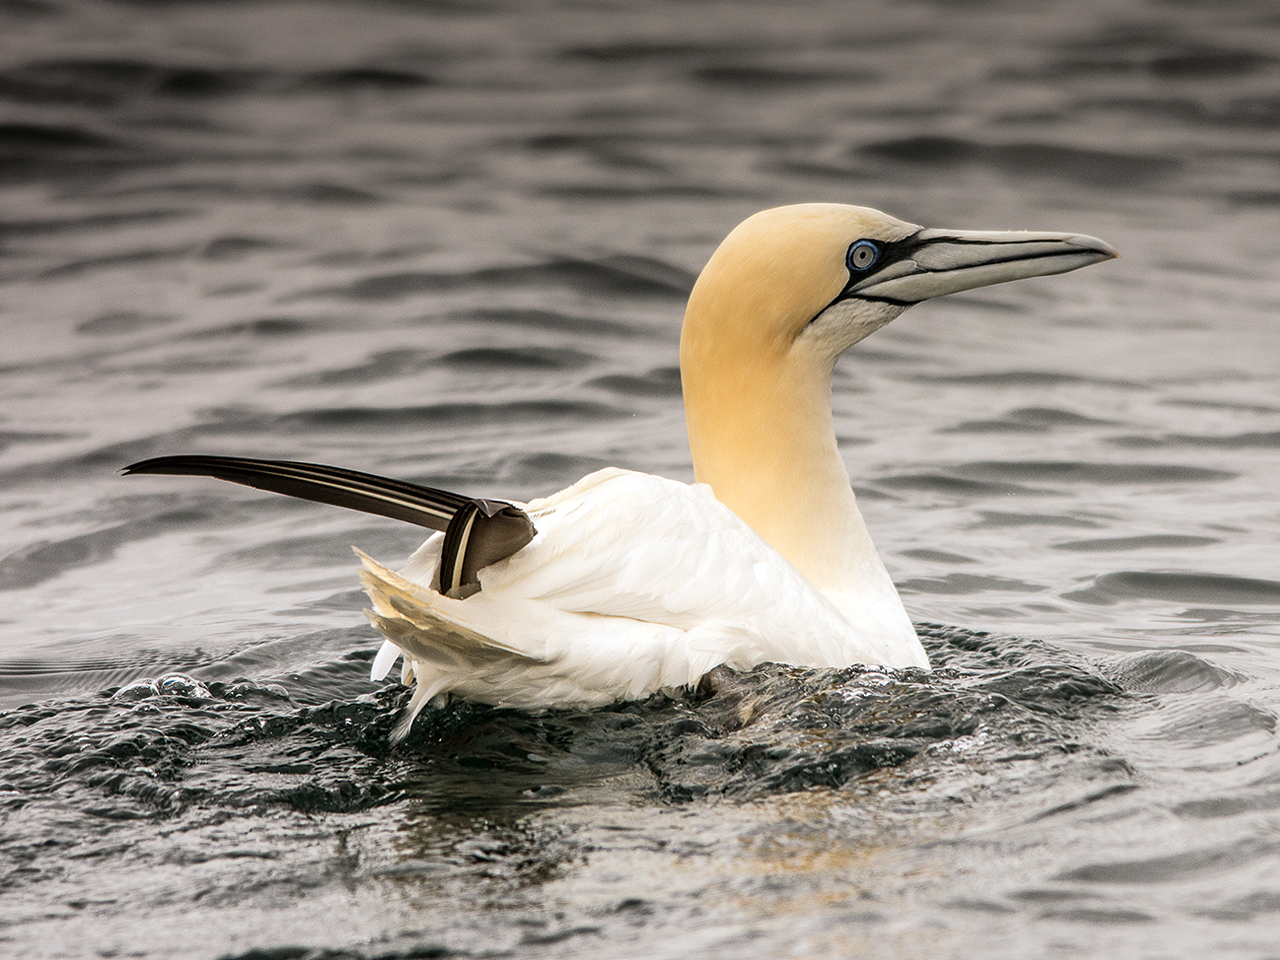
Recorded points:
633,584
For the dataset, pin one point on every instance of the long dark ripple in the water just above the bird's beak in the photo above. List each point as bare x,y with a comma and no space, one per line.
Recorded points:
1057,162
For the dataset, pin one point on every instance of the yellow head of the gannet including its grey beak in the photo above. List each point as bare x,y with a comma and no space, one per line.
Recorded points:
833,275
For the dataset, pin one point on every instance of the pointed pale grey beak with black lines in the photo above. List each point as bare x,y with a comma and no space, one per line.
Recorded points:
936,263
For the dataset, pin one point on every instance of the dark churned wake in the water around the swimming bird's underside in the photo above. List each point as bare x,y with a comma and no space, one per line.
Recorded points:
770,732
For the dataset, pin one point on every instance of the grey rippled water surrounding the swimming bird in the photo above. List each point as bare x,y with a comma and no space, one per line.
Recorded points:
450,243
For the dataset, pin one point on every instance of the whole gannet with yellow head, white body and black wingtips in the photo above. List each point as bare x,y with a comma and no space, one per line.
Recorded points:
625,583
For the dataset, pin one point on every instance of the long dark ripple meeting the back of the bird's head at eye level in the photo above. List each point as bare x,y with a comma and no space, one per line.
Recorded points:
615,277
